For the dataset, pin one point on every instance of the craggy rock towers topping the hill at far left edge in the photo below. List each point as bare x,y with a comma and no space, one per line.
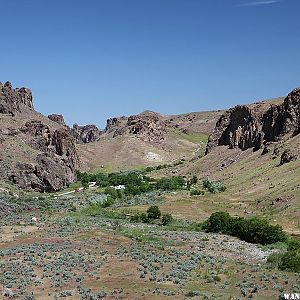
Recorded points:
11,100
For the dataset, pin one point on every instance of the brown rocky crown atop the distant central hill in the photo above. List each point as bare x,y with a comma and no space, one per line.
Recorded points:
148,128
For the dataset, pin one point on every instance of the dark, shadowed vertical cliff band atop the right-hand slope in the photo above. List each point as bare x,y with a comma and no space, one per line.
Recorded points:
247,127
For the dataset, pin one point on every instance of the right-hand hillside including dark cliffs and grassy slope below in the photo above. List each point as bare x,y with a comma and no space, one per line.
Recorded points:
261,174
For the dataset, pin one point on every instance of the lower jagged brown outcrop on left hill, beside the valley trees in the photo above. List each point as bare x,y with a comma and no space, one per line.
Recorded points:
55,166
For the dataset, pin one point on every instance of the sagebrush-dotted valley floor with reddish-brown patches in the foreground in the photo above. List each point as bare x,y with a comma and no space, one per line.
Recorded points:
69,253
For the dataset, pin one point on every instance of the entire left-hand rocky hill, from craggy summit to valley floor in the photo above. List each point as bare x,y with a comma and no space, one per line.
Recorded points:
37,154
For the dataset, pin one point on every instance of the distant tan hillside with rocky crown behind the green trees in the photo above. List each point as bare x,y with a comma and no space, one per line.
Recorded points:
147,139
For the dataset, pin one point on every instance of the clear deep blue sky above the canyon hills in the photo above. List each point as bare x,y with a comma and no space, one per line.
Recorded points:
95,59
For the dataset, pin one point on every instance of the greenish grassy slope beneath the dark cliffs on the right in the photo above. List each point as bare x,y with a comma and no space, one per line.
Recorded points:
256,185
